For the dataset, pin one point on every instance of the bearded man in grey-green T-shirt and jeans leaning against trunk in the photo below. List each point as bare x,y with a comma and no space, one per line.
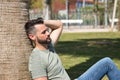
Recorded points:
45,64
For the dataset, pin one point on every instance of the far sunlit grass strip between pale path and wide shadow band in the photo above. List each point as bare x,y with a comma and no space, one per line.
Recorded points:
76,36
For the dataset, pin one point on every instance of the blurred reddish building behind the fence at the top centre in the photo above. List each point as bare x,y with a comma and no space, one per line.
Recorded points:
59,5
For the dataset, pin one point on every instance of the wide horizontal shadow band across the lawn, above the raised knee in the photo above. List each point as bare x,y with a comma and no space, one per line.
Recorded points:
90,47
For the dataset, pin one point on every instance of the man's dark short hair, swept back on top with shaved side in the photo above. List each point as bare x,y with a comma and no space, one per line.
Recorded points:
29,26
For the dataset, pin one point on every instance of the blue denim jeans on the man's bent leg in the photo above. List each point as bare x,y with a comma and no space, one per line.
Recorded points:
103,67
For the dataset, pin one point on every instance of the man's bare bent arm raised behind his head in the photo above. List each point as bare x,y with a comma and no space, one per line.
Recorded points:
56,27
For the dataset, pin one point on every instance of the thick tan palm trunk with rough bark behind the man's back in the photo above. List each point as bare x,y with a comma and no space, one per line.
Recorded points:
14,45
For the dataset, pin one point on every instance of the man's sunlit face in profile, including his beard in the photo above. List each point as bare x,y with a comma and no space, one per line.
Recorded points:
42,34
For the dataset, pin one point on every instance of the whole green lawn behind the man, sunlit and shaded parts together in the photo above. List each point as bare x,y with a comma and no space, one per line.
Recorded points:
78,51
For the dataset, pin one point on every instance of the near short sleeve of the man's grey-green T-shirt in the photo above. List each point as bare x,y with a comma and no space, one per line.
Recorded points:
37,66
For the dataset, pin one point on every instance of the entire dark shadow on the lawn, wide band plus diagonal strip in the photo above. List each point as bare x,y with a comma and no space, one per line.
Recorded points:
95,48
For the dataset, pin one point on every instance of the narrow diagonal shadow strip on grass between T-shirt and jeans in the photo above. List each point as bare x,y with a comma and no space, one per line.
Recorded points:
77,70
